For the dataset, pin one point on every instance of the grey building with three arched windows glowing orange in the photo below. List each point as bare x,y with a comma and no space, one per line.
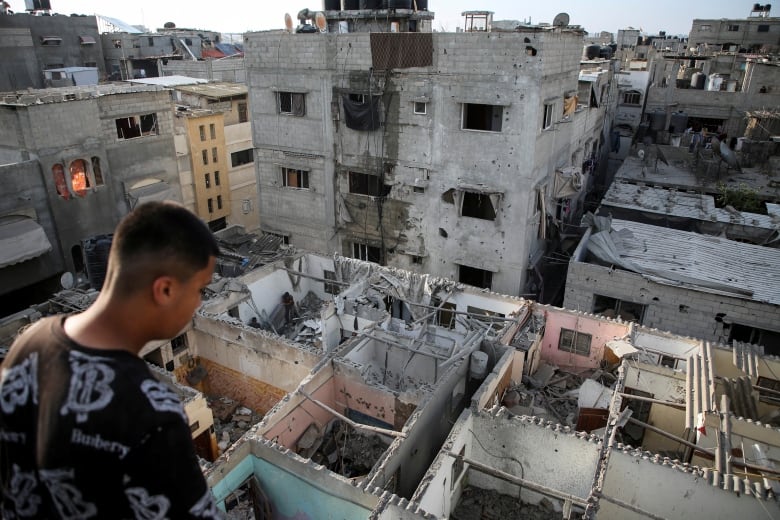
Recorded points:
77,159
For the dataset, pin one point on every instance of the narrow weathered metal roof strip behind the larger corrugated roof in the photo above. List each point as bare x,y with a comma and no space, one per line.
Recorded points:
681,204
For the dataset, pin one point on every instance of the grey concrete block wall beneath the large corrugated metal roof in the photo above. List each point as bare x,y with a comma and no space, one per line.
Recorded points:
679,310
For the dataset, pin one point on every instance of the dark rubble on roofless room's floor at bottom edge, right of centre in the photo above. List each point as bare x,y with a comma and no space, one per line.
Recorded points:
490,505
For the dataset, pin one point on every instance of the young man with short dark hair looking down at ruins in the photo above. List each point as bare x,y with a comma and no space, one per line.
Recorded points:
86,430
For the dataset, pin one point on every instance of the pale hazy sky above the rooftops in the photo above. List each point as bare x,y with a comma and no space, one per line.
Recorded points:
672,16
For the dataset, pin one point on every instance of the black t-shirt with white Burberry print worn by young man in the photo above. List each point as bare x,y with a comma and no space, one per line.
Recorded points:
90,433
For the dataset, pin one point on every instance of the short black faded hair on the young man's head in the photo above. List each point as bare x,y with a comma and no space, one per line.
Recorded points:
160,238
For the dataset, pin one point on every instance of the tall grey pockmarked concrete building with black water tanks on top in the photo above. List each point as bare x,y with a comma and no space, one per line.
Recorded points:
436,152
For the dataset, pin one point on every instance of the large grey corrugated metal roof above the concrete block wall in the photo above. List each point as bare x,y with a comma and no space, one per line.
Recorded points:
699,262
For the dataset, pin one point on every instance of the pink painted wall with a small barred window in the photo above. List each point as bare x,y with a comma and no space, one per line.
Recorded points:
601,331
